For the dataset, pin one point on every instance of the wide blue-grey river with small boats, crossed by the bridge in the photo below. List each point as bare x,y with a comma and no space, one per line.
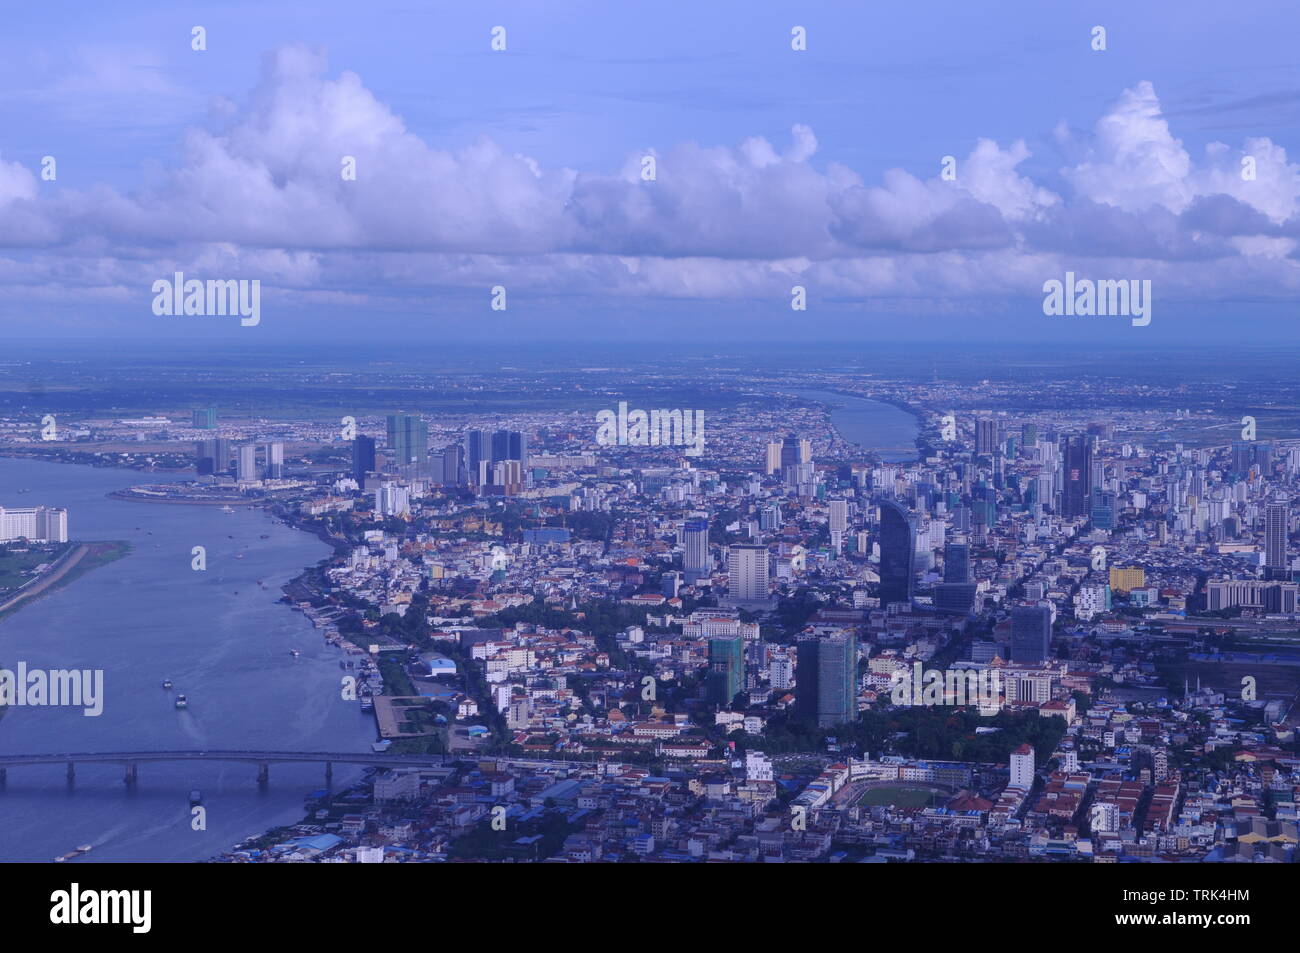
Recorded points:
220,636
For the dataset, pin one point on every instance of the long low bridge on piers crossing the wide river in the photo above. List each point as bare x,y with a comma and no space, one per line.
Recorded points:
263,760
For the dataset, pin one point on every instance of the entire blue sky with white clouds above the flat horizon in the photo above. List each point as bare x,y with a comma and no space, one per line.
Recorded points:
774,168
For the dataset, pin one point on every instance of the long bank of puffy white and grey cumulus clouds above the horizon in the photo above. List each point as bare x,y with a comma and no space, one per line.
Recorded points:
261,194
